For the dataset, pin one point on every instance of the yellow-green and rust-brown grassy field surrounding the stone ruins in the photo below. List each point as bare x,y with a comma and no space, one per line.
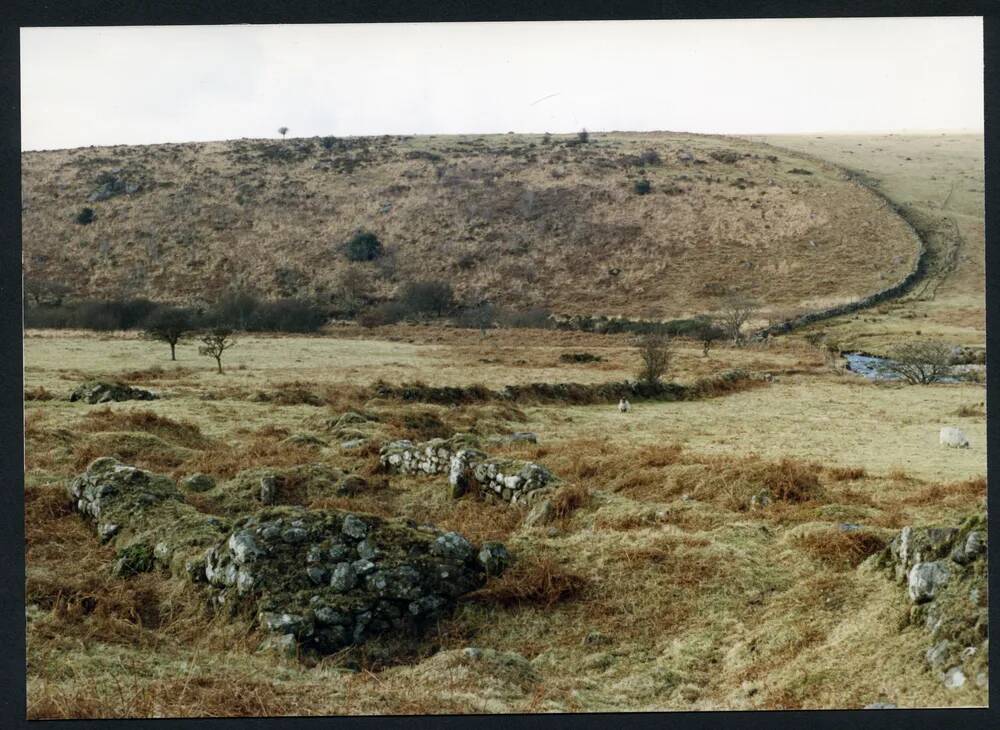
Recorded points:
658,590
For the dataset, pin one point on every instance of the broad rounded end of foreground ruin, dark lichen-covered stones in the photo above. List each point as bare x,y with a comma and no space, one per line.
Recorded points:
384,577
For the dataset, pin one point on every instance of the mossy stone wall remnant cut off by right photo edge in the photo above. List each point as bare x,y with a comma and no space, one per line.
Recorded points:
944,571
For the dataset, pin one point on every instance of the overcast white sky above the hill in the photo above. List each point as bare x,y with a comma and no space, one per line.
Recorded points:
137,85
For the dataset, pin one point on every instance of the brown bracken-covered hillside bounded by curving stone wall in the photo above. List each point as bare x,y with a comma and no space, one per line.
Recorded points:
516,219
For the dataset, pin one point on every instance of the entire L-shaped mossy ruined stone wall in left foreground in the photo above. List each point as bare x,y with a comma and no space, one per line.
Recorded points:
316,579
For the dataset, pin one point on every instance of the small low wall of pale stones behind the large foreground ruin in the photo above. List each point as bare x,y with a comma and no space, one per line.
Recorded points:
510,480
